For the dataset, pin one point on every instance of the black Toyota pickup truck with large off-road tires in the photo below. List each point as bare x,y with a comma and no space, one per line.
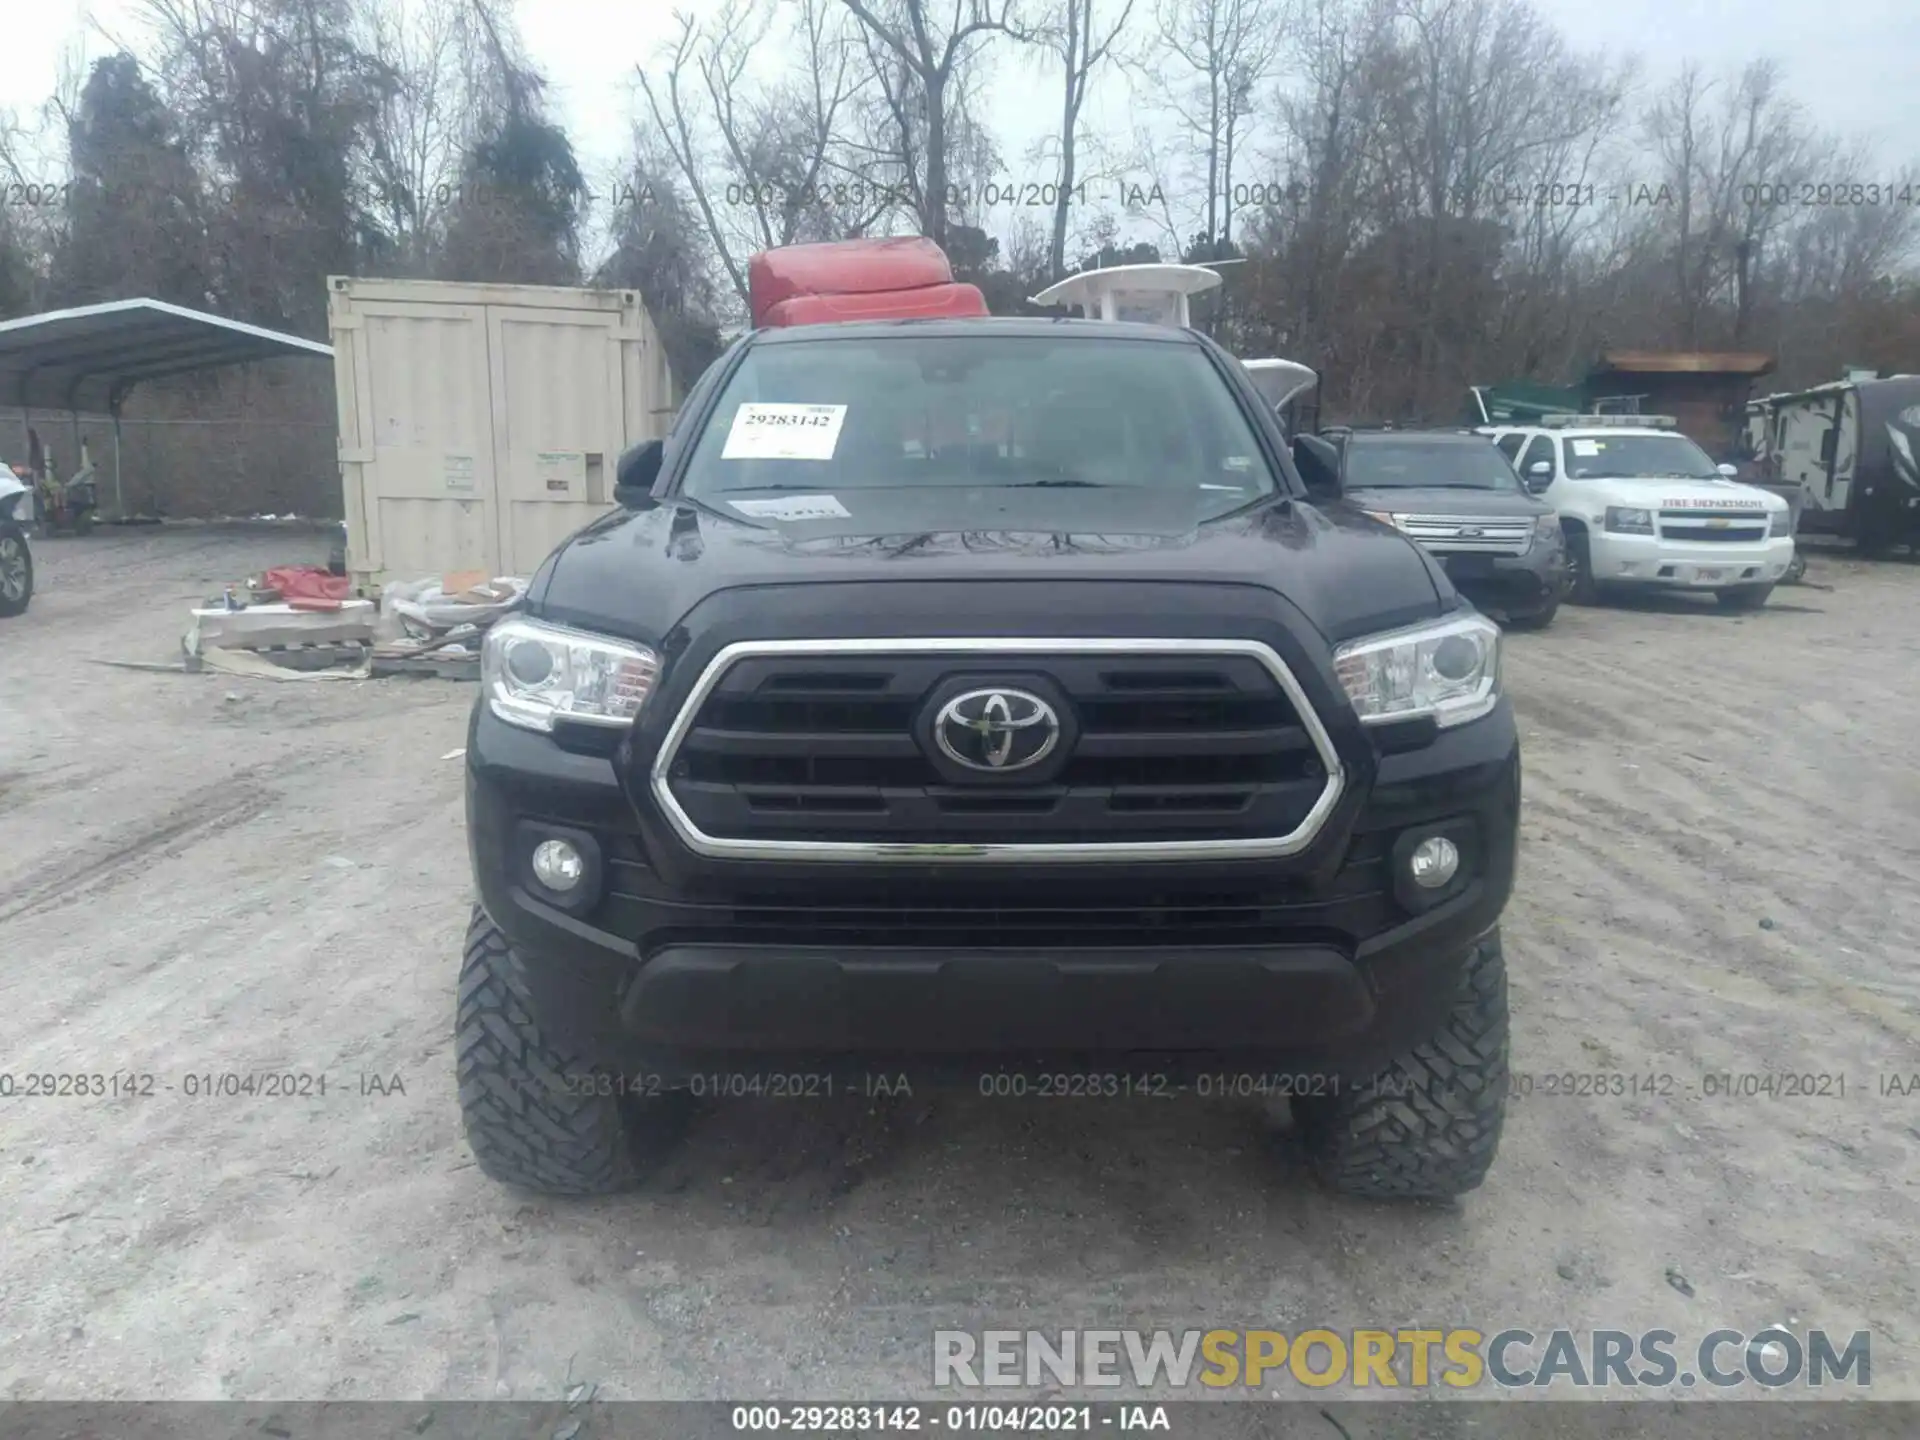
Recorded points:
986,696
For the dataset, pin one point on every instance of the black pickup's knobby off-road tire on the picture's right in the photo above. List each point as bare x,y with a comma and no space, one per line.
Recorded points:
1428,1126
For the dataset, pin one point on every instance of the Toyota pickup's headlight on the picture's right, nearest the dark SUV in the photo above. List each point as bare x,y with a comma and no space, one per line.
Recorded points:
1447,669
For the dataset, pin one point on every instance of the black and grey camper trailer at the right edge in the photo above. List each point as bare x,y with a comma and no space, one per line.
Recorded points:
1854,452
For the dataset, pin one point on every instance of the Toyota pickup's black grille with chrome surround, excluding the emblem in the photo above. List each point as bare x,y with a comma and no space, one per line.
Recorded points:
809,750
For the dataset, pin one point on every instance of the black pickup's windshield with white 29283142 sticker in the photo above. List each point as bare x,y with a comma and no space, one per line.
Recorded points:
842,416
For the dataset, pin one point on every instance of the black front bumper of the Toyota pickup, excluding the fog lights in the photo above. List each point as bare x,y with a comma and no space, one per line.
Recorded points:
684,963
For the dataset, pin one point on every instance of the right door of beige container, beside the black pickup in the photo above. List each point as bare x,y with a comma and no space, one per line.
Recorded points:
560,425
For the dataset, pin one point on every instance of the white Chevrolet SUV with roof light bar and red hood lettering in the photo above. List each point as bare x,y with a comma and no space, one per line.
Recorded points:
1644,506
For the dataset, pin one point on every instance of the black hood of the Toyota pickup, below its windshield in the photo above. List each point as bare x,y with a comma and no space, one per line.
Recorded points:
638,573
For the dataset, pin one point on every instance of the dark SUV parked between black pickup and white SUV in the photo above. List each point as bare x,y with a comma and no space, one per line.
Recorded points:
1466,504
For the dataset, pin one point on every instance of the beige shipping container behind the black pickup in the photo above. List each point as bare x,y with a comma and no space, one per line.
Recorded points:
481,423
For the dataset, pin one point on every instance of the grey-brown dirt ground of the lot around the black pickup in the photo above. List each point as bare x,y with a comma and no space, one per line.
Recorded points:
208,875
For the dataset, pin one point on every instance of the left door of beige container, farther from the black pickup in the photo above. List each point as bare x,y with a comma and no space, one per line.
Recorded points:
421,441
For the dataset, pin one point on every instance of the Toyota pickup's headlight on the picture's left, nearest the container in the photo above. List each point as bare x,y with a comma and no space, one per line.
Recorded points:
535,675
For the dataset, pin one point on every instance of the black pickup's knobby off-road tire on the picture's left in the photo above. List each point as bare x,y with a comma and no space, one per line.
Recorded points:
531,1118
